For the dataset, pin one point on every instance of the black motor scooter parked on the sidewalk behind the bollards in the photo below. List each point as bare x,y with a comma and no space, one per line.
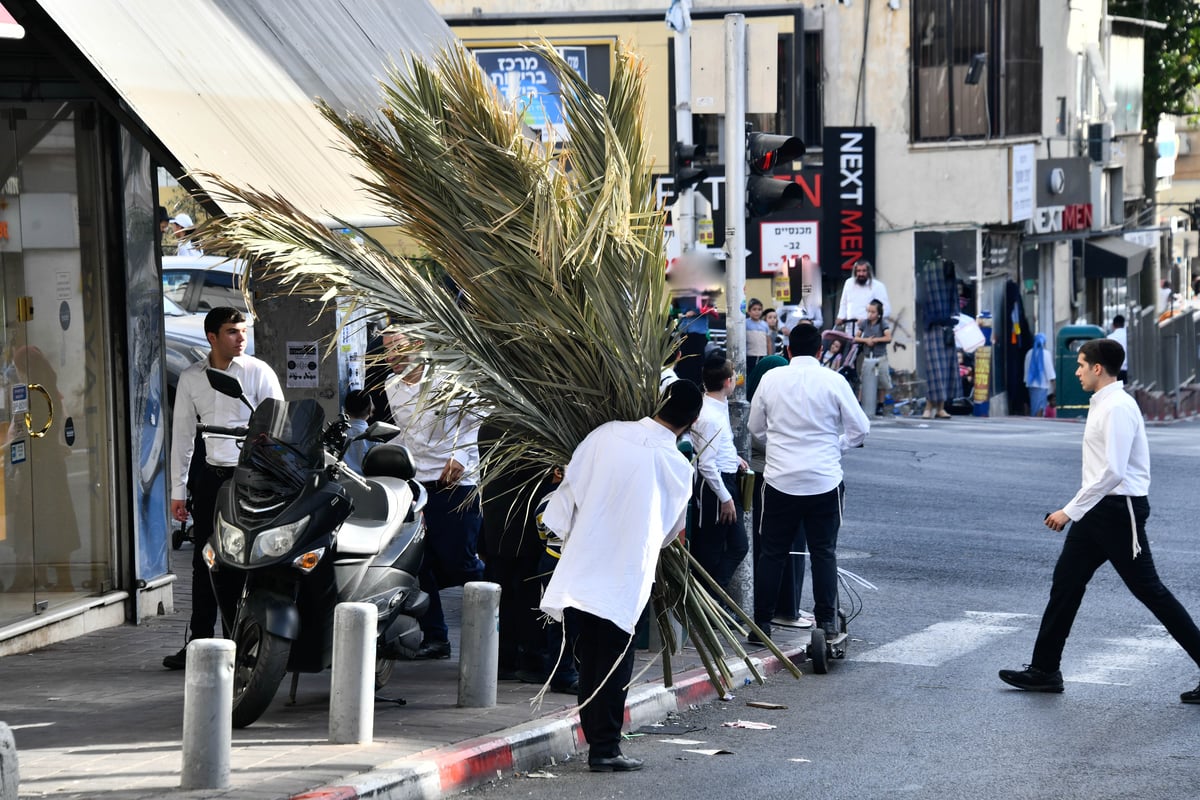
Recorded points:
298,532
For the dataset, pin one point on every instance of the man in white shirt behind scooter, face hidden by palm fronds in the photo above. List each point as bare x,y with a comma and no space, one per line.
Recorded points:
445,448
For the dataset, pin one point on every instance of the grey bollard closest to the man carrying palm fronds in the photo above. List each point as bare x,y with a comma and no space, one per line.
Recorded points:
481,649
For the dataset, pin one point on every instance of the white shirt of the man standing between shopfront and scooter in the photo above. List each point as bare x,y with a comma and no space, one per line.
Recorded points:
195,398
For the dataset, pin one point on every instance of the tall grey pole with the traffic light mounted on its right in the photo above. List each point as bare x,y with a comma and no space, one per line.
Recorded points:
736,224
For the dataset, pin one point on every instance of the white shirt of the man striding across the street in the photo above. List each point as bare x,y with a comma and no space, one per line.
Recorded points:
1117,456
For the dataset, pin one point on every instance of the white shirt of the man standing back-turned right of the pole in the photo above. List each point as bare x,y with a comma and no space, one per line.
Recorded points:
808,417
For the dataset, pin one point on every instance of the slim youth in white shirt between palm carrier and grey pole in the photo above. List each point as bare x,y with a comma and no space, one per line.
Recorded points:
719,539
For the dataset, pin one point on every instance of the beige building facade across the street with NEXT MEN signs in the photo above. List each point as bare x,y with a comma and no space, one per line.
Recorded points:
1005,137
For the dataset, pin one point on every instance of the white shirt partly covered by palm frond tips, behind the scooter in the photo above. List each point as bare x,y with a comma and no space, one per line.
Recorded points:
433,436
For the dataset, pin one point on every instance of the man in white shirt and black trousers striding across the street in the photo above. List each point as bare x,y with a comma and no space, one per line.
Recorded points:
1108,518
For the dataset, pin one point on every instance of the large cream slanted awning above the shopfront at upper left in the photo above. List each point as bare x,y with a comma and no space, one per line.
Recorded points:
229,86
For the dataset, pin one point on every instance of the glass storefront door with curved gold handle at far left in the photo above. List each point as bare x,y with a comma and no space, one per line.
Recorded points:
56,539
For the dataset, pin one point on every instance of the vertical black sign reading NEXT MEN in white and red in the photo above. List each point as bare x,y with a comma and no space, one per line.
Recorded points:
849,196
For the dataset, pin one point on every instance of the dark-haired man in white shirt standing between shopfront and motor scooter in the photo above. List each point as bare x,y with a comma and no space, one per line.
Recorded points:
197,401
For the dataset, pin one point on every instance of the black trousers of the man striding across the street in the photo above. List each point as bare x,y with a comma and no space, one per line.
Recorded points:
1102,536
